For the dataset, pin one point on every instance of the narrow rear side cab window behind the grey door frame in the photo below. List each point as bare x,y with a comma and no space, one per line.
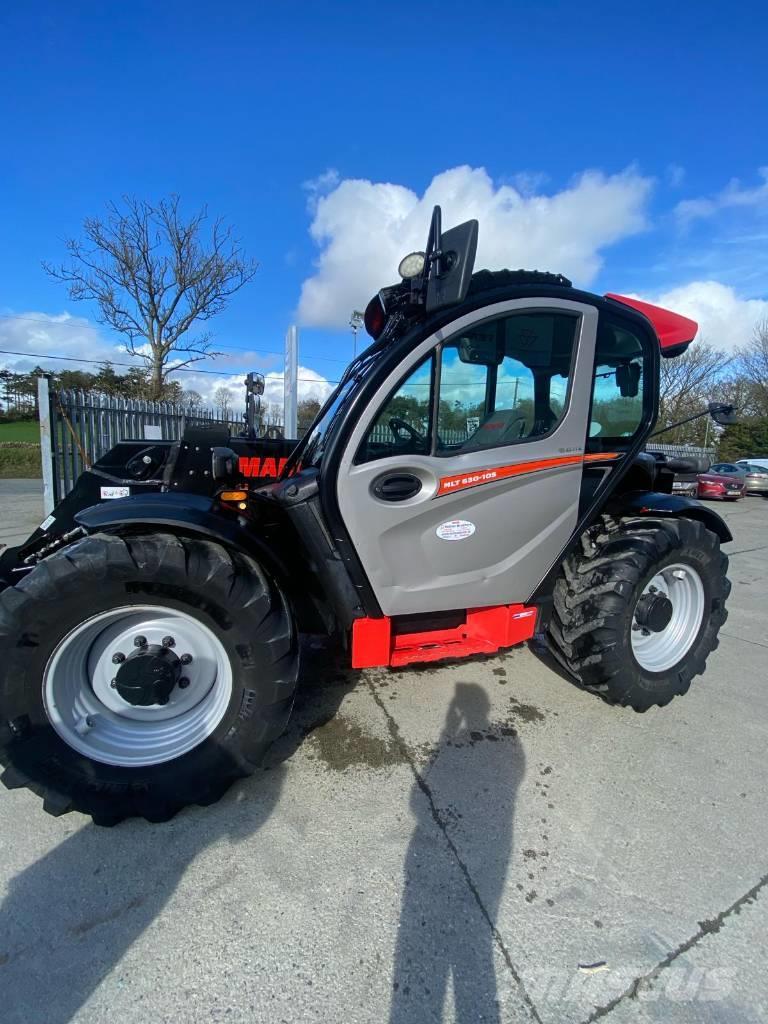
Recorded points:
618,386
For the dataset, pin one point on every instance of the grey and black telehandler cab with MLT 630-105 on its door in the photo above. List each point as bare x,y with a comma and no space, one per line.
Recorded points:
507,403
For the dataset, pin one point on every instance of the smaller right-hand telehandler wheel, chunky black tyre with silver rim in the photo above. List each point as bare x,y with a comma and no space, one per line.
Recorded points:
595,631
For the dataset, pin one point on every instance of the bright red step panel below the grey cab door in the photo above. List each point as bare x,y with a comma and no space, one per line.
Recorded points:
485,632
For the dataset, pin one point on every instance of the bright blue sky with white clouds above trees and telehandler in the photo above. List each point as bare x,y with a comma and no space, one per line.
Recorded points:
241,106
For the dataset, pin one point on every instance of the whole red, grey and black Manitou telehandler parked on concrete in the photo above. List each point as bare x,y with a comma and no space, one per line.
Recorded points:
478,480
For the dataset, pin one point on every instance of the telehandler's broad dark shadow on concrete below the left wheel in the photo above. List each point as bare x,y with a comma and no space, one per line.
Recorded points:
70,918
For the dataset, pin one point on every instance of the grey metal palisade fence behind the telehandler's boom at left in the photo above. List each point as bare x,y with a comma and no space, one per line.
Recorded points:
78,428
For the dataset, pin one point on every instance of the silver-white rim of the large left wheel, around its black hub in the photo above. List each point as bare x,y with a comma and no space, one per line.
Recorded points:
93,718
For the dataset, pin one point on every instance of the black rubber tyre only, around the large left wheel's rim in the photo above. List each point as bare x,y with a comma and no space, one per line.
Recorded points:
163,564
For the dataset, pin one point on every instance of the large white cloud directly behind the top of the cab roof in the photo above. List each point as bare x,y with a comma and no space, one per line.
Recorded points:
364,229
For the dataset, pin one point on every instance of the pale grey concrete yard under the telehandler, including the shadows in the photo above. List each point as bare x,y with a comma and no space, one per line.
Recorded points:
479,842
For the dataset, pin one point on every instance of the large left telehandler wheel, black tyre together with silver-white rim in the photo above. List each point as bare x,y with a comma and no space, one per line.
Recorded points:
55,630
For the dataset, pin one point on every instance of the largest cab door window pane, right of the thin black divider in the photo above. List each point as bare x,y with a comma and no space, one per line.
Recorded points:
505,381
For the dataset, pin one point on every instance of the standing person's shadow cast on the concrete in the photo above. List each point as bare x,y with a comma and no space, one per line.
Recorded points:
446,934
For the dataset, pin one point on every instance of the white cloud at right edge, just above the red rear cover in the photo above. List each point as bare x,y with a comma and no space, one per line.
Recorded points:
726,320
